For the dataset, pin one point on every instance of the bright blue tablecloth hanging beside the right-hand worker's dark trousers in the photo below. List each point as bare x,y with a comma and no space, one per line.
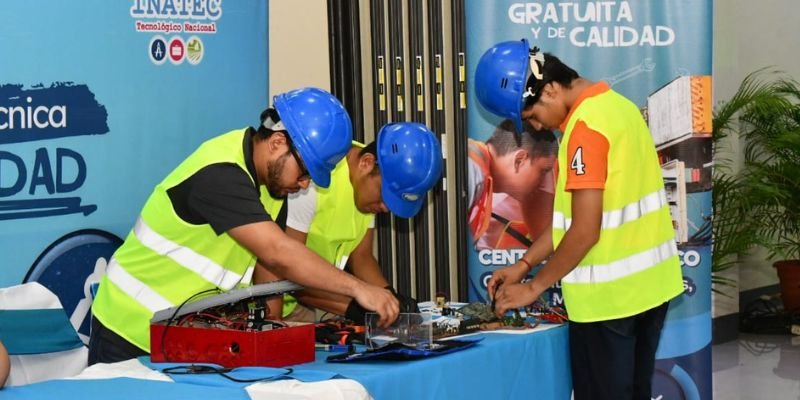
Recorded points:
501,366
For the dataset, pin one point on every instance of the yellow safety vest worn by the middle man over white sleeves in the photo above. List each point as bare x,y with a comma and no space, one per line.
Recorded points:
337,227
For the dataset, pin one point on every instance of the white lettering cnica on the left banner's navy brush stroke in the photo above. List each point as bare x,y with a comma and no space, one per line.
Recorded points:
32,116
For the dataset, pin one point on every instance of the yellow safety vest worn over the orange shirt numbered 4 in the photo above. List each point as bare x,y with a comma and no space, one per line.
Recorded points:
634,266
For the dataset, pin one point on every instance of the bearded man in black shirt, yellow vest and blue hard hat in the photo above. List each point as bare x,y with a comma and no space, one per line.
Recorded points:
211,223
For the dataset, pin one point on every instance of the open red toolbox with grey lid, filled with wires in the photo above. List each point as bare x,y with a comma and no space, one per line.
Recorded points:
230,329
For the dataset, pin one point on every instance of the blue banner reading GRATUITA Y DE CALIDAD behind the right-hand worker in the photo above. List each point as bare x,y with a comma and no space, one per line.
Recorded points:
658,54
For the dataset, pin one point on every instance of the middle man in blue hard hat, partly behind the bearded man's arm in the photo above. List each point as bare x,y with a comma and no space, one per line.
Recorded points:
393,173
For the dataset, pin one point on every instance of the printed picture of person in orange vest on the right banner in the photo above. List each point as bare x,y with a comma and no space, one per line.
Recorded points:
510,186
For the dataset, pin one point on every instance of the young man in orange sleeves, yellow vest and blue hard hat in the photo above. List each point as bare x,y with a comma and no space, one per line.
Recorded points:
611,241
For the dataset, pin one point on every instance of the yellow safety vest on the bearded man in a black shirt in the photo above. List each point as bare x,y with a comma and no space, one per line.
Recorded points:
164,260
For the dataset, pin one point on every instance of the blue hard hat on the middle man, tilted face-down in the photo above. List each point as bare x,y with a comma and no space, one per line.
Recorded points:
410,162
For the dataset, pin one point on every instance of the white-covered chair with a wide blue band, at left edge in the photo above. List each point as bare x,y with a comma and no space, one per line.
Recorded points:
36,331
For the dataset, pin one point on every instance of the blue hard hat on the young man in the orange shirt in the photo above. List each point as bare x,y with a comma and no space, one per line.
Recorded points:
500,79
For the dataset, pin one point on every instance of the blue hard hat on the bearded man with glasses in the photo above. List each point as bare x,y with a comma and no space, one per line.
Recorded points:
319,127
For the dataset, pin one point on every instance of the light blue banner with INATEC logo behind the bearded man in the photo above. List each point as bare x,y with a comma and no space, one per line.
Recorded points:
98,101
